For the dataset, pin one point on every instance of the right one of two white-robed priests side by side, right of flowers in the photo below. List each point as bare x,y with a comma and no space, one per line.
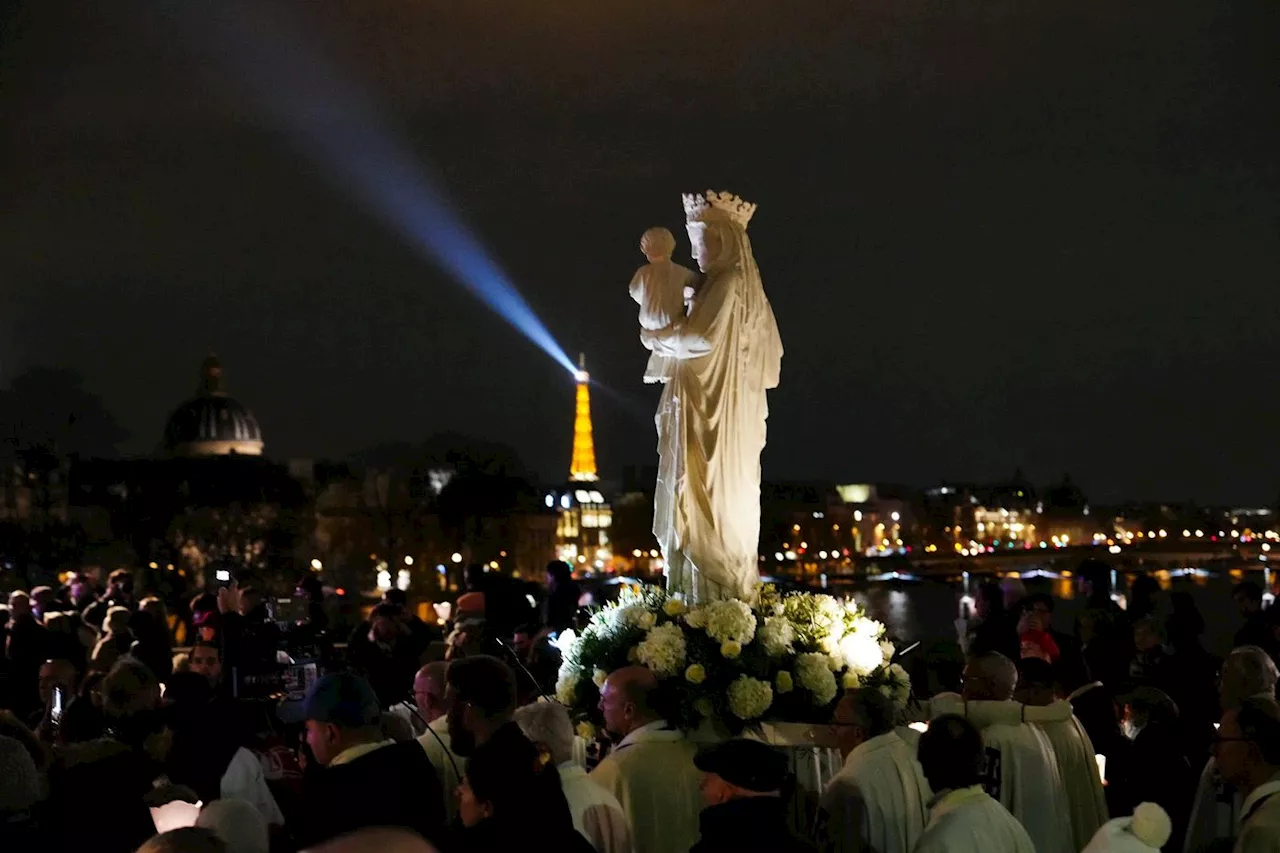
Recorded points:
1077,764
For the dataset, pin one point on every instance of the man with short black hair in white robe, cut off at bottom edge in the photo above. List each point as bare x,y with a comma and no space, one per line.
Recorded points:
963,818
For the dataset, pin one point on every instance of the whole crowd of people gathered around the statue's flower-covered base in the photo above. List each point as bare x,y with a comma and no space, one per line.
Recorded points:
1122,735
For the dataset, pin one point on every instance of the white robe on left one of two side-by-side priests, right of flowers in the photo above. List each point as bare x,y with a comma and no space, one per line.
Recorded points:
1023,769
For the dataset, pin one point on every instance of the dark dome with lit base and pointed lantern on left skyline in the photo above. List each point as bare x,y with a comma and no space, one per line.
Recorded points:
213,423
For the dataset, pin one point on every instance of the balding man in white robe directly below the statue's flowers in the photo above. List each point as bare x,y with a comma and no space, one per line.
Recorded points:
651,770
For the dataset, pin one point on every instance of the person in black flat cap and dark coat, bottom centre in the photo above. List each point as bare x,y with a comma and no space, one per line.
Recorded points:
743,806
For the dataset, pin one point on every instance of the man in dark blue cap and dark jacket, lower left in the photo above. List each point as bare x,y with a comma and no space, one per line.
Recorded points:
364,781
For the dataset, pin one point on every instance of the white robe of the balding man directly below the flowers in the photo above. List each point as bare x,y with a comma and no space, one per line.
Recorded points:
652,776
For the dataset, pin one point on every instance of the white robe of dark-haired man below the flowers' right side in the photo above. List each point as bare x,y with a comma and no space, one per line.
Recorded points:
879,802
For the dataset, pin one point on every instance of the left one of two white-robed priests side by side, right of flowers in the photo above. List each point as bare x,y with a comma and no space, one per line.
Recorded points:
1022,768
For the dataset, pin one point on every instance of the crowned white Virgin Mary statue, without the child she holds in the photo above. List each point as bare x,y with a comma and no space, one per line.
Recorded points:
712,417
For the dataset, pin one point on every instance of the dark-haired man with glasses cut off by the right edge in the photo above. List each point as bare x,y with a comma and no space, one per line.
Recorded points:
1247,750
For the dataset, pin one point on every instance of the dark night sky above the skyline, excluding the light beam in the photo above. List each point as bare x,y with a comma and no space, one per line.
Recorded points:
995,234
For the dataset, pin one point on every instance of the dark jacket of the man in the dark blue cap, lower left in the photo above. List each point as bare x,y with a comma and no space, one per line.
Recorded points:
394,786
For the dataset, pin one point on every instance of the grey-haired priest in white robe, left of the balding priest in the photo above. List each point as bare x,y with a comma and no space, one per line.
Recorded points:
597,814
